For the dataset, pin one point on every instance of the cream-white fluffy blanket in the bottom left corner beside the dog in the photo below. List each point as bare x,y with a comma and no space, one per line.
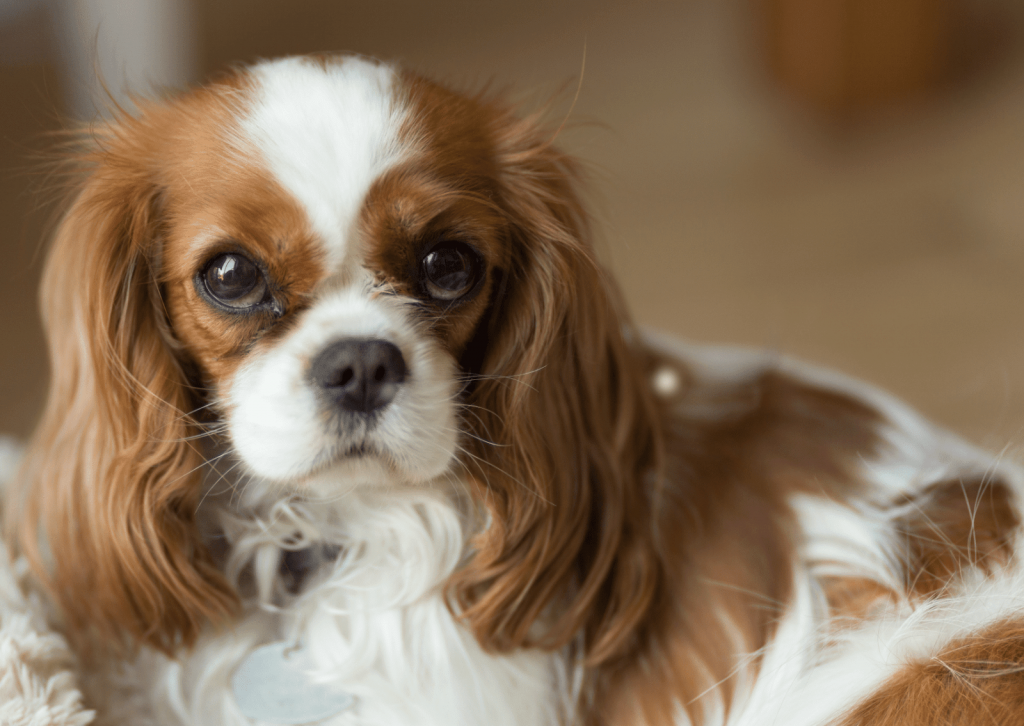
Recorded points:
38,686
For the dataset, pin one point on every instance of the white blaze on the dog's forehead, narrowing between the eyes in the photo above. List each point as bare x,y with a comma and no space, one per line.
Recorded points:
327,133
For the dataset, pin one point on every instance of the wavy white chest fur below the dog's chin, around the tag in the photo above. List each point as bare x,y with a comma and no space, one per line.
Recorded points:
373,619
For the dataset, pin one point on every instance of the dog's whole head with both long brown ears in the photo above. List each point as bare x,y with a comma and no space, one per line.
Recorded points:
351,277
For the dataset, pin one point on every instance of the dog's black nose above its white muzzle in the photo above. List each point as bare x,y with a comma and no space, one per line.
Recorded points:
360,375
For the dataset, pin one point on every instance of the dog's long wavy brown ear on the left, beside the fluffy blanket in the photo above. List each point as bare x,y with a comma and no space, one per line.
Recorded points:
111,482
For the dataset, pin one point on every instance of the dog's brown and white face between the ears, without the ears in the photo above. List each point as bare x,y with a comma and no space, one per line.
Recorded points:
332,251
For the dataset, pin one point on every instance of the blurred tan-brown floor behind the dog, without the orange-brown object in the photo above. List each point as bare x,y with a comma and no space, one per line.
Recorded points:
890,248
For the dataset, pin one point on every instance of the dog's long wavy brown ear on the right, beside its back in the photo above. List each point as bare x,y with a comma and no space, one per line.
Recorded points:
566,443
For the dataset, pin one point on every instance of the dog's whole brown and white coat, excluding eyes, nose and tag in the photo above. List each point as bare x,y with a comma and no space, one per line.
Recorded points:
553,520
